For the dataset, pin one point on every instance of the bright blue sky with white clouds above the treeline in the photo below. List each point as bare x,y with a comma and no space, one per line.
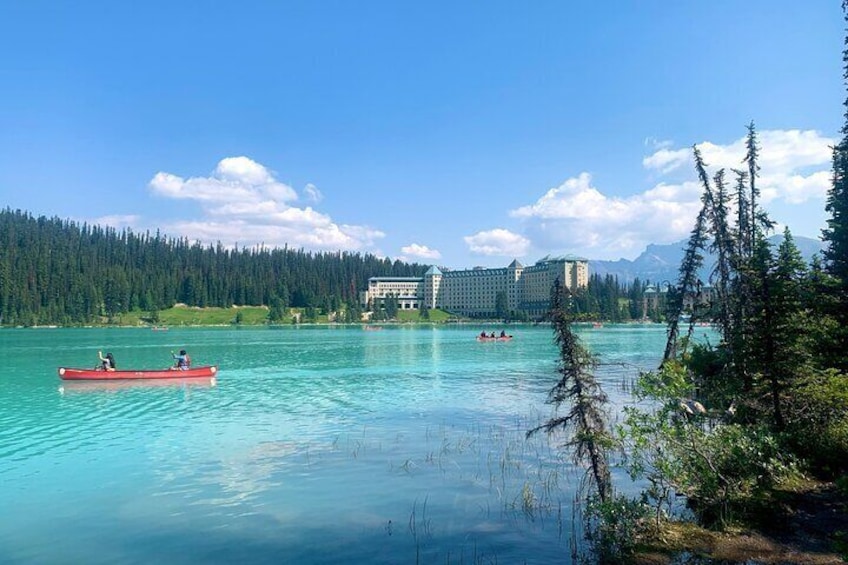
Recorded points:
448,133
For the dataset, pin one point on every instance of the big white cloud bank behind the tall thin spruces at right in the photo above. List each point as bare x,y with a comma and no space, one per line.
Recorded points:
578,217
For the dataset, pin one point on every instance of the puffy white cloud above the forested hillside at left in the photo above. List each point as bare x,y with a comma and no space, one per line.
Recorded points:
243,204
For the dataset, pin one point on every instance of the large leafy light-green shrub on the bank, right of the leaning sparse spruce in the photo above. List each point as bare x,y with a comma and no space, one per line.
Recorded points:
723,470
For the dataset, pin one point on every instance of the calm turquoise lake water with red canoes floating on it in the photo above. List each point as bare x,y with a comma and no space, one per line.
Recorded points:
313,445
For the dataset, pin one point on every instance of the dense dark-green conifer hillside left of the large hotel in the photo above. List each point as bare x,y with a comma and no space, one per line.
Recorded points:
55,271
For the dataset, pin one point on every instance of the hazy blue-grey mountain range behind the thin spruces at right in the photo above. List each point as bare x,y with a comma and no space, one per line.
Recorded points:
661,262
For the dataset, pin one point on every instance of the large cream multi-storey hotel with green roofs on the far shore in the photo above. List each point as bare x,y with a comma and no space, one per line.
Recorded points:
474,292
